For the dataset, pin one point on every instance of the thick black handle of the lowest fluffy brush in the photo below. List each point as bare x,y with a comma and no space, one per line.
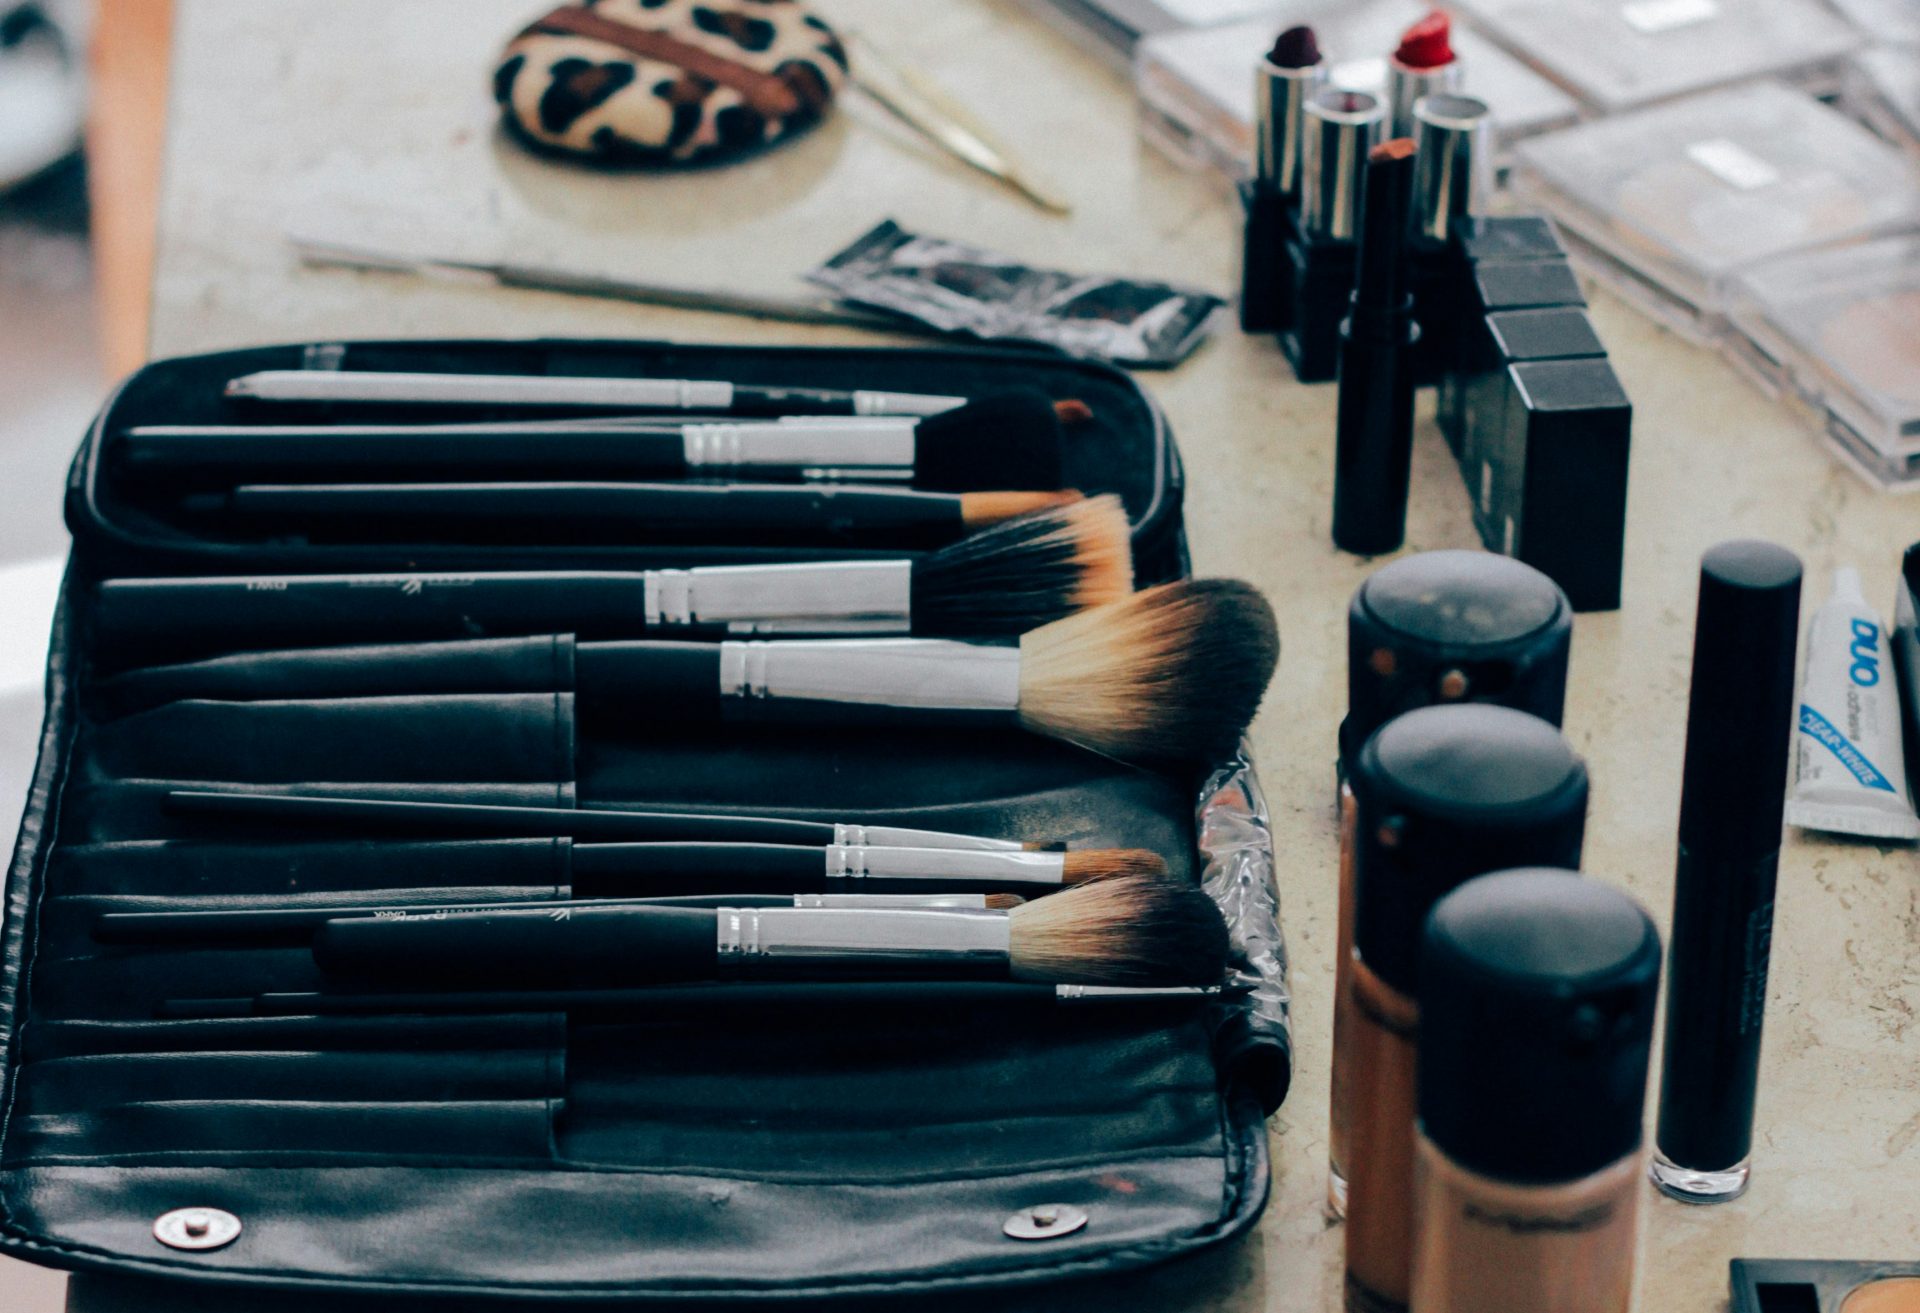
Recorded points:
562,947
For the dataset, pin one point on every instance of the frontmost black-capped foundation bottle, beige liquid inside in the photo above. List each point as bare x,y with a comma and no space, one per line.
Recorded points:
1537,1020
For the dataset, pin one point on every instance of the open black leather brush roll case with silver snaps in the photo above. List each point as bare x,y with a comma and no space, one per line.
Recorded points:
817,1151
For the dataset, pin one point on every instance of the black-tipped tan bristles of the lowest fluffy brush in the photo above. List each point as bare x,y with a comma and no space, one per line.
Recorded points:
1132,930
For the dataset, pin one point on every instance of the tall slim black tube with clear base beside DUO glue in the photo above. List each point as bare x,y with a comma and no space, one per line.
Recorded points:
1733,796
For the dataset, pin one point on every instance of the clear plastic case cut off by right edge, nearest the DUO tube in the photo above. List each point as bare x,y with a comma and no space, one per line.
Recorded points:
1842,331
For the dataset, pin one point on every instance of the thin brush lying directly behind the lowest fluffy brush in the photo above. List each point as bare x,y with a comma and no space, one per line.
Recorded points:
274,928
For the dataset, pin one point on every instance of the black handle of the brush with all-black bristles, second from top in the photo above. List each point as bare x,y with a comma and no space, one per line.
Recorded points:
228,456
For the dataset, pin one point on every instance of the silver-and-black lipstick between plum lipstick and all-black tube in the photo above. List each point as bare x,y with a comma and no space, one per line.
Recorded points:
1341,130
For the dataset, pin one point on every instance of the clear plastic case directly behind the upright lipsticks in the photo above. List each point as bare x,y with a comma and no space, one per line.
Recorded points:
1197,87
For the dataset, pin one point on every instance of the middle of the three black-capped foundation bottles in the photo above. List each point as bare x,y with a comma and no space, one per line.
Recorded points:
1443,794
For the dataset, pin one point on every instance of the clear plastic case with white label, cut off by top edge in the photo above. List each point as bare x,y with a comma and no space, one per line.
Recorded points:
1616,55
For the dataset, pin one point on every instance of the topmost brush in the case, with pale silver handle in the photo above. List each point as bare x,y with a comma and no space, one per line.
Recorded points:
360,387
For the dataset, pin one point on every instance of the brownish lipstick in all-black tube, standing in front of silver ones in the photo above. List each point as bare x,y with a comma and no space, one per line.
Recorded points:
1374,439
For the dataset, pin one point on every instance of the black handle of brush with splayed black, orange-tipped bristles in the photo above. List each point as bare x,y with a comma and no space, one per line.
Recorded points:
297,609
